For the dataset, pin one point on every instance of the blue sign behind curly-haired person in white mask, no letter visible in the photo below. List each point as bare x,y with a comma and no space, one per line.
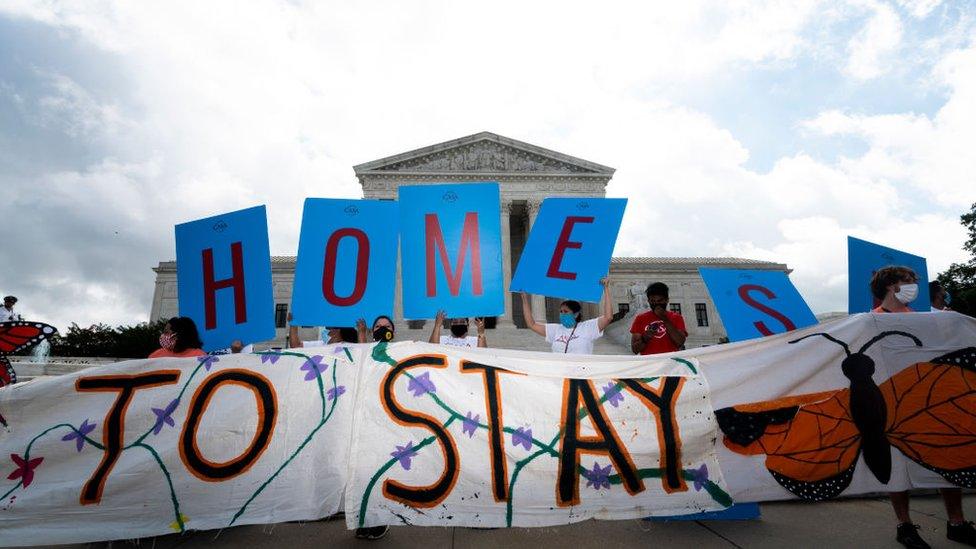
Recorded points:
864,258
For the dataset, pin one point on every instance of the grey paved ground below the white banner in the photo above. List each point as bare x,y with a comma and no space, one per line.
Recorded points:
860,523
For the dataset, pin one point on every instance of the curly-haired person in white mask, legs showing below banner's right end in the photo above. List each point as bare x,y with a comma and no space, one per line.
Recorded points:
896,287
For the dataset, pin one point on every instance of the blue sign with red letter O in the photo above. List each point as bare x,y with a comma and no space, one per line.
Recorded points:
346,267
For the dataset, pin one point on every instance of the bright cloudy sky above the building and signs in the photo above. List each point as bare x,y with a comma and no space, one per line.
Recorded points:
769,130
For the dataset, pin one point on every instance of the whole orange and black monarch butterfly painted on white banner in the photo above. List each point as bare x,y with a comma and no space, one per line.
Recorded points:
812,442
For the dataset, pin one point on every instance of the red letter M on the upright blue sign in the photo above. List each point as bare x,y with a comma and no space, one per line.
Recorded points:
469,240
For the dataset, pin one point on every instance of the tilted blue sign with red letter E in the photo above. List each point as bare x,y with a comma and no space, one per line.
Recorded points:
570,247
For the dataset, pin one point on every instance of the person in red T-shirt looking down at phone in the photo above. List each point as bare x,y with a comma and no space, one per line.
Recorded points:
657,330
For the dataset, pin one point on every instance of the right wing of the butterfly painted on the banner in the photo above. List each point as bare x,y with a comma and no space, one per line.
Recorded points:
932,415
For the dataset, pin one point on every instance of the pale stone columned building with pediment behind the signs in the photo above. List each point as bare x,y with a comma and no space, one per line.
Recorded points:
526,174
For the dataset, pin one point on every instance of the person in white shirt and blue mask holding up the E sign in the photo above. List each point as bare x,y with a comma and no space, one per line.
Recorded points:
572,335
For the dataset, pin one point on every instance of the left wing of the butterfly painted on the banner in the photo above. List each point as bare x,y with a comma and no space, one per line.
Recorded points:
810,441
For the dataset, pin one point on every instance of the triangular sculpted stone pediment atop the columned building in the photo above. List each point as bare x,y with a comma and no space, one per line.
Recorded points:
484,153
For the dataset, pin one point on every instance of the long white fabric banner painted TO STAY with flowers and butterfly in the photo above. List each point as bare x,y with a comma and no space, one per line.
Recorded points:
414,433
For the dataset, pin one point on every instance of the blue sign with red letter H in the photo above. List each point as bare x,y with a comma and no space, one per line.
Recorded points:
223,269
